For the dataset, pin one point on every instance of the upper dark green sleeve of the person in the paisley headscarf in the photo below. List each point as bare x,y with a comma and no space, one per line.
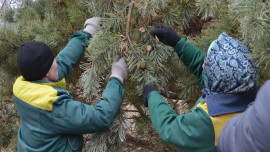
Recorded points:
192,57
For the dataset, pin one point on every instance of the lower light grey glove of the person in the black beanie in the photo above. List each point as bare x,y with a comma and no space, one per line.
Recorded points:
119,70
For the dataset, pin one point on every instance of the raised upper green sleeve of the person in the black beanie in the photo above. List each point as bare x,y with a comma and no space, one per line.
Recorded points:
72,52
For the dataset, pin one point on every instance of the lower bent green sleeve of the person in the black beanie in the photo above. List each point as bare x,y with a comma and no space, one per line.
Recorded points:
73,117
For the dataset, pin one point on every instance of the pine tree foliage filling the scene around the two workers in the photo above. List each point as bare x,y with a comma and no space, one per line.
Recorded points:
125,32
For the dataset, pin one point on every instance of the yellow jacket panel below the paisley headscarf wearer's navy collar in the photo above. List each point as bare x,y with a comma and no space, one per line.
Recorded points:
219,122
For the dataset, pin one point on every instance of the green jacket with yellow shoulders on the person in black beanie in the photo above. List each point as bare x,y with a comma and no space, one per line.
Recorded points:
50,119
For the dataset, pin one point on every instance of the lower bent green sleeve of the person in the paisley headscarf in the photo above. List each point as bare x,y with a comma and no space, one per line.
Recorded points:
192,131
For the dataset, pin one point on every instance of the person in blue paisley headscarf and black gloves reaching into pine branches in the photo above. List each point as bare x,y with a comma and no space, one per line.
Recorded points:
229,76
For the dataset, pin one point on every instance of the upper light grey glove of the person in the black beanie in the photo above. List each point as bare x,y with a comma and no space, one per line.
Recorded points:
92,25
